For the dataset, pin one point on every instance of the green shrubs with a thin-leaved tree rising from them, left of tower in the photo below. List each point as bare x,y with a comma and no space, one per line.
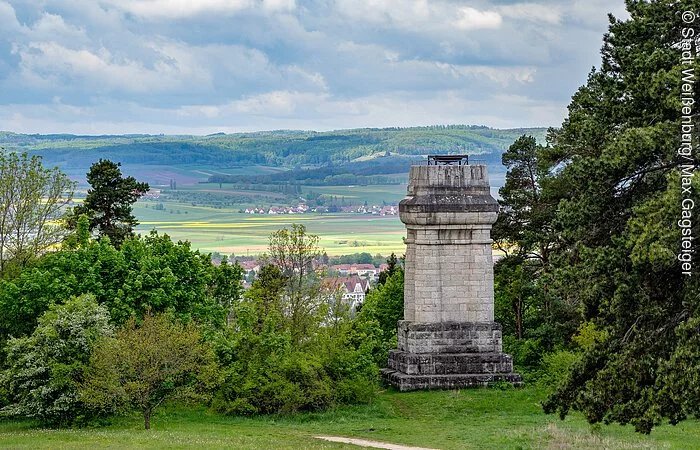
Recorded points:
291,345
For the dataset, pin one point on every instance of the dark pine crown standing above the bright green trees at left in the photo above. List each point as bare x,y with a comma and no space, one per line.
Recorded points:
108,202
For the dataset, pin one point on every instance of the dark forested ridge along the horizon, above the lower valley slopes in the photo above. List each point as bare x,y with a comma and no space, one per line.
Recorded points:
279,148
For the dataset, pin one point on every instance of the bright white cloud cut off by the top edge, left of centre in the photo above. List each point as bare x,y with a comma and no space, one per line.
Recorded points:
176,9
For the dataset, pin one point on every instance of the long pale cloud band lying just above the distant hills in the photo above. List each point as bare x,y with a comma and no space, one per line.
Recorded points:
285,110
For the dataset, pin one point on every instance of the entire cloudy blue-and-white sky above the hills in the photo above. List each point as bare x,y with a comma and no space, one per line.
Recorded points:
203,66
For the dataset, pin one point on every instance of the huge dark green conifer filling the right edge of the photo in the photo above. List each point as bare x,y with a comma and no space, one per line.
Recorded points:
617,184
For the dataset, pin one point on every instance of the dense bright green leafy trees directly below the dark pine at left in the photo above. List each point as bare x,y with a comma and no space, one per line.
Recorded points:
149,272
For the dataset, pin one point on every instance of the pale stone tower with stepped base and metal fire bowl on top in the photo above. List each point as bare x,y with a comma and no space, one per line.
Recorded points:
448,338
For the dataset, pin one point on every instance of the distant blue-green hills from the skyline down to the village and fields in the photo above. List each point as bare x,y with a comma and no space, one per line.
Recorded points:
189,159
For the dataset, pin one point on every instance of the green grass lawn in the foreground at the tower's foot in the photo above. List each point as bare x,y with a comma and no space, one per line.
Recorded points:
479,418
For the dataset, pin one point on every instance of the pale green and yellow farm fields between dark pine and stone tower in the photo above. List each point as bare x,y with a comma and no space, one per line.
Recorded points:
228,231
